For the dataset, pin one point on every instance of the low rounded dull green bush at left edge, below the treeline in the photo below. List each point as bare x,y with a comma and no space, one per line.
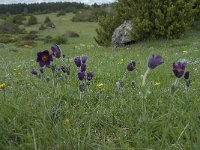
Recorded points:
8,27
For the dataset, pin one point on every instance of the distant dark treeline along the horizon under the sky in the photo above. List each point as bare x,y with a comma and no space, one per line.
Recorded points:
41,7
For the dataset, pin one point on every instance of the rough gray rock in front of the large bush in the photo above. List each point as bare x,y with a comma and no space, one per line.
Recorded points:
121,36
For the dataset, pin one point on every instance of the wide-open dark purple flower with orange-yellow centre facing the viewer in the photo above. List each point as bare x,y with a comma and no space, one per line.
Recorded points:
44,58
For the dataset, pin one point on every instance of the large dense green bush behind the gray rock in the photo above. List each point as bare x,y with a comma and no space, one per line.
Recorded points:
155,19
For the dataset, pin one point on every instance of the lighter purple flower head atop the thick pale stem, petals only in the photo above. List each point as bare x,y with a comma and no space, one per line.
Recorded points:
154,61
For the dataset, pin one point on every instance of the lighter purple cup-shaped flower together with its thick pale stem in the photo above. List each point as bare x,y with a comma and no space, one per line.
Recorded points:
153,62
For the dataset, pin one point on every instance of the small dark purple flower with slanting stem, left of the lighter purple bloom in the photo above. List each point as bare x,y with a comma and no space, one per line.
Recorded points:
130,67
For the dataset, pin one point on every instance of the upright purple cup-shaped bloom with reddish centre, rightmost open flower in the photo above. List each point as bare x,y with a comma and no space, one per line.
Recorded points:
179,69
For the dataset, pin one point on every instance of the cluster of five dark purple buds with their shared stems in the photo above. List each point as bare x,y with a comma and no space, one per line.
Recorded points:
83,76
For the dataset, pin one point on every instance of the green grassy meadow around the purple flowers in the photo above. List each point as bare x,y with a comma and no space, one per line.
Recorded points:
105,118
